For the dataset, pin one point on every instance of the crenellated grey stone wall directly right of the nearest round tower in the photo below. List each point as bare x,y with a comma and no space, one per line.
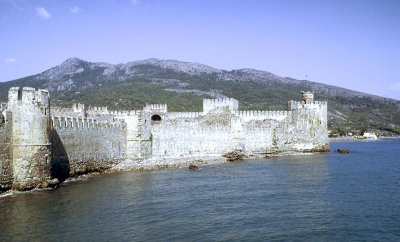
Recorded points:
80,145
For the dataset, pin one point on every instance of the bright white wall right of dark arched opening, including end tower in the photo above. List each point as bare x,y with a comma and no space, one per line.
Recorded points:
222,130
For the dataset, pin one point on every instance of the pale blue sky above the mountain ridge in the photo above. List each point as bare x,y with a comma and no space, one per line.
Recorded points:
352,44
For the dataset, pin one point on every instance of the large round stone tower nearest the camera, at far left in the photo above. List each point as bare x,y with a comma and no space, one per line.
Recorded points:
31,159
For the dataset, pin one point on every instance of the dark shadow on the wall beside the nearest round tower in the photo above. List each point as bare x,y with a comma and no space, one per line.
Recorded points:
60,167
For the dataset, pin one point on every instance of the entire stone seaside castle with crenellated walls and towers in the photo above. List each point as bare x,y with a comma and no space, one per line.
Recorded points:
40,145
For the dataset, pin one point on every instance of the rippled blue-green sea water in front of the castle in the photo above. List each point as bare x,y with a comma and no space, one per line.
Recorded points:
307,197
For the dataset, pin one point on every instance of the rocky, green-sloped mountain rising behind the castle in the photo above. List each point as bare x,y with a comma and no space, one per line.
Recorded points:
182,85
